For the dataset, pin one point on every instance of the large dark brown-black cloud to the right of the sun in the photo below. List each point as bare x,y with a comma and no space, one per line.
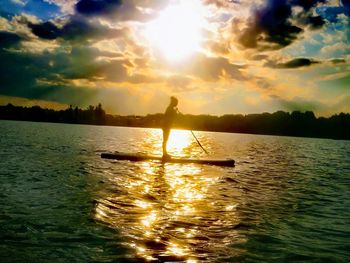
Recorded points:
271,26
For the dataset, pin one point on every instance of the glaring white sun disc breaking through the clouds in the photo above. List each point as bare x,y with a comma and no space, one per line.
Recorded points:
176,32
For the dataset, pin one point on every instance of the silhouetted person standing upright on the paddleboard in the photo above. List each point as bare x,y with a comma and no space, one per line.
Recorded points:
168,119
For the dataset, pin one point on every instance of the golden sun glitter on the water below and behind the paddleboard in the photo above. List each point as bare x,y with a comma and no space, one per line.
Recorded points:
169,212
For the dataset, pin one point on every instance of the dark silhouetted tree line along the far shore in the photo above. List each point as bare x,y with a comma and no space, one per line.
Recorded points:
296,123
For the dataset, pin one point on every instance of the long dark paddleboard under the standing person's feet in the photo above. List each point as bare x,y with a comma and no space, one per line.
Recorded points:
145,157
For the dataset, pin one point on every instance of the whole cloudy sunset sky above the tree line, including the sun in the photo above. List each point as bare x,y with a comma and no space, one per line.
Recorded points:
217,56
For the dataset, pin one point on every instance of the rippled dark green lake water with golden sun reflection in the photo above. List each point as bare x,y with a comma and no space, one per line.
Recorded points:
287,199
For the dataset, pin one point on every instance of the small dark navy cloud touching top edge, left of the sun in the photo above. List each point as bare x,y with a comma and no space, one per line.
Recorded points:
97,7
